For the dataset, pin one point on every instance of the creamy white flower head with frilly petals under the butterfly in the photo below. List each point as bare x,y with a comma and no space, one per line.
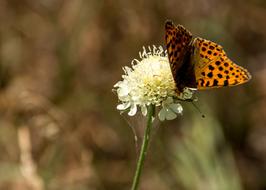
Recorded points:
150,82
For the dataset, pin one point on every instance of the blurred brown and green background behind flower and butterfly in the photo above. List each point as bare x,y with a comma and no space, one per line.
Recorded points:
59,127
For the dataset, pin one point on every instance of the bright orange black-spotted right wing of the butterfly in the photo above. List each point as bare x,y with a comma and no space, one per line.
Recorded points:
213,68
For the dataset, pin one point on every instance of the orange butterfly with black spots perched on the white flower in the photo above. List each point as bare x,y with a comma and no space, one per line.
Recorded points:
199,63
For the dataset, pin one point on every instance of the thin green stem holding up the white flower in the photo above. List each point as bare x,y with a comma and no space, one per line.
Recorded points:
144,148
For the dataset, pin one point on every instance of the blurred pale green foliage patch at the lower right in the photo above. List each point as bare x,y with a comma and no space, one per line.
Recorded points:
203,159
